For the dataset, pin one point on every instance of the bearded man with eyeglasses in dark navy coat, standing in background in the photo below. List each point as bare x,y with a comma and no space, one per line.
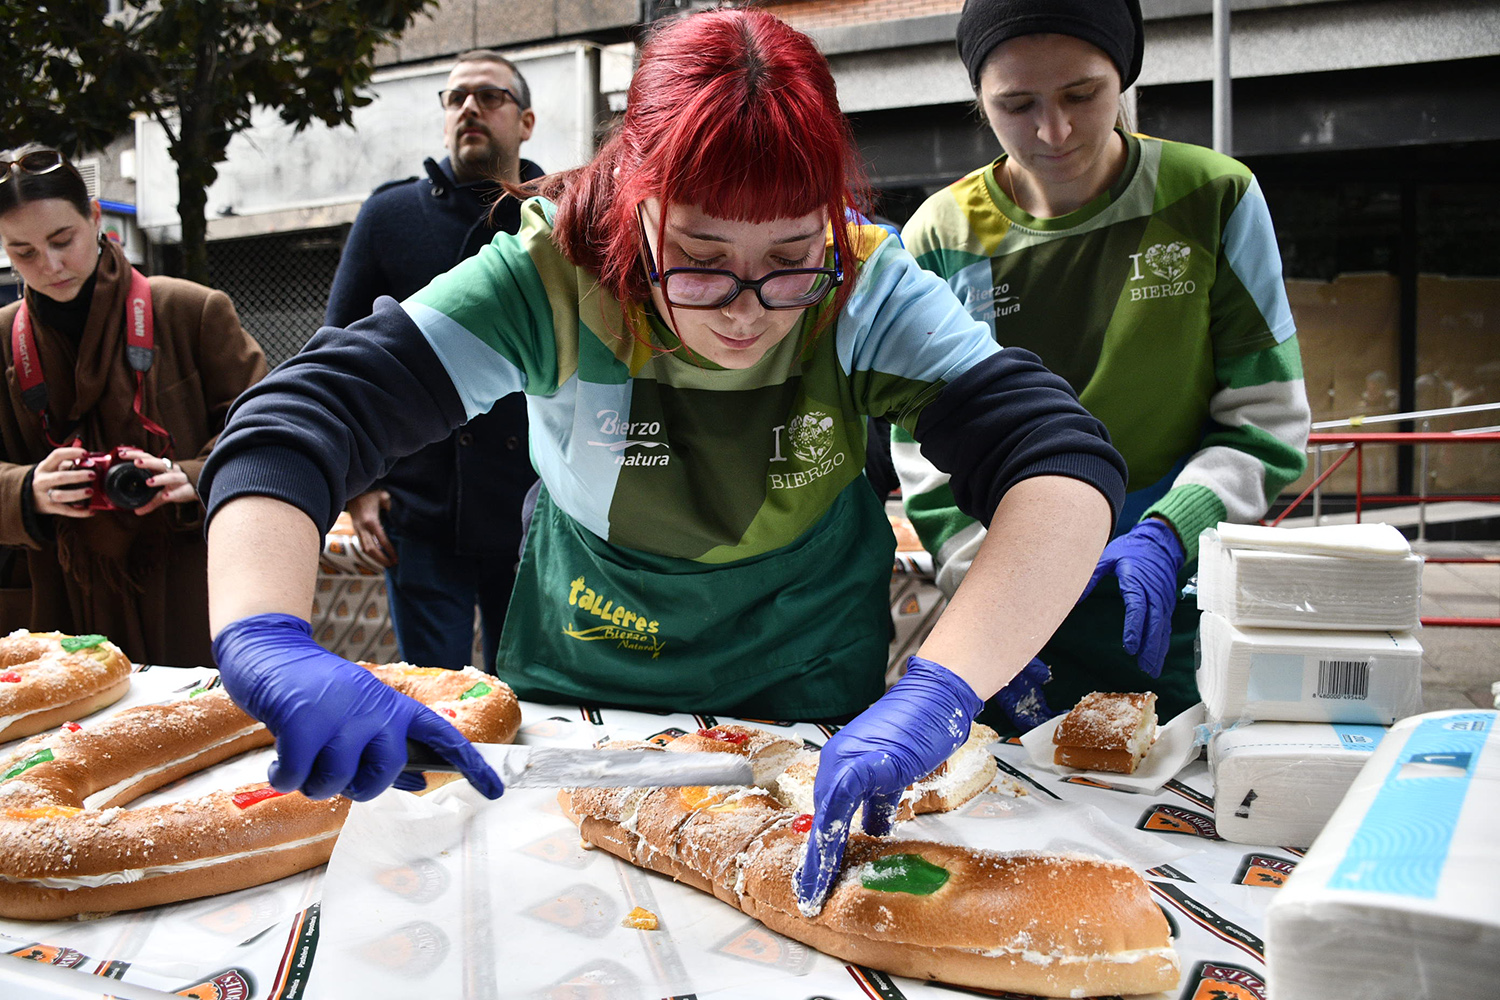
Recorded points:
446,521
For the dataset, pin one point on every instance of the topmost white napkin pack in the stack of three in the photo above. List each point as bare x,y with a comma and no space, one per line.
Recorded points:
1336,578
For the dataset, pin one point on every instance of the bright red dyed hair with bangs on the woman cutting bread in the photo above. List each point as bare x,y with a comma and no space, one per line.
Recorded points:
730,110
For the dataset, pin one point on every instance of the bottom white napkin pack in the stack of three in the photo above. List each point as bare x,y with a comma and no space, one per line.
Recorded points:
1277,783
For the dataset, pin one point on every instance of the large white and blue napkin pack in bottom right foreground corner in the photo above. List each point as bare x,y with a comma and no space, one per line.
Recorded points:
1397,897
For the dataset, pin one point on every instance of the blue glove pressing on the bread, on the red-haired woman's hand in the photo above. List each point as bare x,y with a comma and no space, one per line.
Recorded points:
913,729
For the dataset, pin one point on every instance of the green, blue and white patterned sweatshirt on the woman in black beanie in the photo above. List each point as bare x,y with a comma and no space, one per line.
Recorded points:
1162,302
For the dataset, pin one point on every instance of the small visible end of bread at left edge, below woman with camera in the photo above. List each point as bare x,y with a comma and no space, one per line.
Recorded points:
47,684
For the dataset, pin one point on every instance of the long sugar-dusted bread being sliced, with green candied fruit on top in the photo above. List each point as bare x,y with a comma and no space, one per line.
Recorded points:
1049,926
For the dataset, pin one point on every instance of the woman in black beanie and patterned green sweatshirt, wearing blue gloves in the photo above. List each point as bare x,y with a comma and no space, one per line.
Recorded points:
1145,274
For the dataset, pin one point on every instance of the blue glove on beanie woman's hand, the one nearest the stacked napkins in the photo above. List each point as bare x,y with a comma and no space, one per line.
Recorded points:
1145,561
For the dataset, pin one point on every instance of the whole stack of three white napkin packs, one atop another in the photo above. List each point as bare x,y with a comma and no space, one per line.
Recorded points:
1304,654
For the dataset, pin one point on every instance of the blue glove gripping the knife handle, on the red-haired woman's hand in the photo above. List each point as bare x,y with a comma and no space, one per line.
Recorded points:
338,729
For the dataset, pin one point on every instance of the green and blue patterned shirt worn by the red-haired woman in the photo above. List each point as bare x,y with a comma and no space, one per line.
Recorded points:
668,455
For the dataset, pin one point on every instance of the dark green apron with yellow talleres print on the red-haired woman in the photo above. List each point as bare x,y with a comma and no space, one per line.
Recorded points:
797,633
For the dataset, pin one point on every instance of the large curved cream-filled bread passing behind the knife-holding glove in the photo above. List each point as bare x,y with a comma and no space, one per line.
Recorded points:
68,848
